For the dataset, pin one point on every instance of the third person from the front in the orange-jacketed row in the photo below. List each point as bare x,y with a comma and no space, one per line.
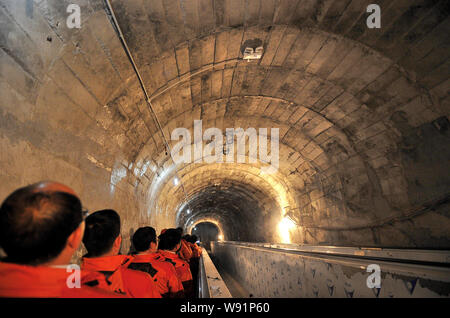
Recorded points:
163,273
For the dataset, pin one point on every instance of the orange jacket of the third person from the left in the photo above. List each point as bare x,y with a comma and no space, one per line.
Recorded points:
163,273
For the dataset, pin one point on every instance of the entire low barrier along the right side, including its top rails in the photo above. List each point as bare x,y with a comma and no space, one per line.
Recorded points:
291,270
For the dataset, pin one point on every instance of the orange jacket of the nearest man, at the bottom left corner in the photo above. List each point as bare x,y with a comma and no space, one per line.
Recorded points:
26,281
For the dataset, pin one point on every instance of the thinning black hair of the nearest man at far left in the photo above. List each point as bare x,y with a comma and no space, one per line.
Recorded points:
35,225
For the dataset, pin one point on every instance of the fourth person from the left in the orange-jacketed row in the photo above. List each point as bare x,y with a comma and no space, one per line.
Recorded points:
169,245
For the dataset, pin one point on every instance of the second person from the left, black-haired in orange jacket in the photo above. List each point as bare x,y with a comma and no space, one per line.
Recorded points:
102,240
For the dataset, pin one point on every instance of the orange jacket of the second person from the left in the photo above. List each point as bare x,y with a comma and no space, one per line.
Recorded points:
119,279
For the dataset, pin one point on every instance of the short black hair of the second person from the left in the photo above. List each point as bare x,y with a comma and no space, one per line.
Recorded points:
102,229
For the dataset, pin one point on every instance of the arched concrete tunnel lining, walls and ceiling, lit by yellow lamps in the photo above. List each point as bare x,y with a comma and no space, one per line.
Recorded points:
359,115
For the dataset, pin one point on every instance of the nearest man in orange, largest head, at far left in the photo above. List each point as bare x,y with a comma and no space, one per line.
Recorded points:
41,227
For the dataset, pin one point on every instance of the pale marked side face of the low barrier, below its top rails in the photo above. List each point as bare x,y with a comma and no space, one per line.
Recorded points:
271,273
